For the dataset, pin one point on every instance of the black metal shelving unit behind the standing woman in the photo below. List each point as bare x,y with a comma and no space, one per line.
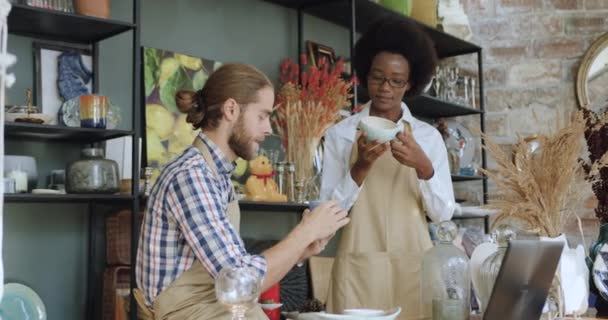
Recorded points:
356,16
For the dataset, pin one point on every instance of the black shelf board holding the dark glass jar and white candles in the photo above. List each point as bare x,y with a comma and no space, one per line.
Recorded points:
67,198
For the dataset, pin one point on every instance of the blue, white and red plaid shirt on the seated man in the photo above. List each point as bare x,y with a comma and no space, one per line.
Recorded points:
186,220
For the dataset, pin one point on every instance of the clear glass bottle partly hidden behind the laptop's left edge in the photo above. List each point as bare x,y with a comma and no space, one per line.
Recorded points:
488,271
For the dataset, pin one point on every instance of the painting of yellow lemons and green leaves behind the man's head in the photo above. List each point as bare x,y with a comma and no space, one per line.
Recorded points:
167,132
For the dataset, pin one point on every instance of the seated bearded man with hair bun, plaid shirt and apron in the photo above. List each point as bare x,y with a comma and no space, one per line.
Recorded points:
190,229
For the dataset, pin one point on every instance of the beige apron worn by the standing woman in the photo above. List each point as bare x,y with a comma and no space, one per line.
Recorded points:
380,251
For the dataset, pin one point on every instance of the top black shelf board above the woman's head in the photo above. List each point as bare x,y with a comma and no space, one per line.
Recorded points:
338,12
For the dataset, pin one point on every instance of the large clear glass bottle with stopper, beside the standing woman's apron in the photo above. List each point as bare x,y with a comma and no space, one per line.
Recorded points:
446,278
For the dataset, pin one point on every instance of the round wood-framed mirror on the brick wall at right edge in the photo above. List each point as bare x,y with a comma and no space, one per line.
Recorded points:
592,77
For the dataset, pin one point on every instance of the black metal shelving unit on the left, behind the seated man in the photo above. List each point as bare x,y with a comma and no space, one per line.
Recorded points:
46,24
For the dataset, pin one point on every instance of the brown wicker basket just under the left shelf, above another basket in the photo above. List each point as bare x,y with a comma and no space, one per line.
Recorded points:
118,237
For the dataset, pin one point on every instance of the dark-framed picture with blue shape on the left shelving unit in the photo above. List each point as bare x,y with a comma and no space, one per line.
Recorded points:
62,72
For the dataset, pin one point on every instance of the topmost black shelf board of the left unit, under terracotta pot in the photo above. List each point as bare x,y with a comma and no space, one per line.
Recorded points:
49,24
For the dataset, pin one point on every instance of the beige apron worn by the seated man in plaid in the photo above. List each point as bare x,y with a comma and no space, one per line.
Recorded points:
192,295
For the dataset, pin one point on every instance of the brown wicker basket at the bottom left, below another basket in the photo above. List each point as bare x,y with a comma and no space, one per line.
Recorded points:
116,284
